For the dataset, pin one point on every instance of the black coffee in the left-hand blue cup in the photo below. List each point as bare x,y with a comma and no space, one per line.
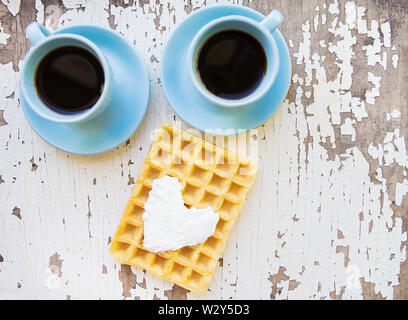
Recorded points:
69,79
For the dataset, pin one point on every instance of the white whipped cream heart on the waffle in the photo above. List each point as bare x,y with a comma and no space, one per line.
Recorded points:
168,224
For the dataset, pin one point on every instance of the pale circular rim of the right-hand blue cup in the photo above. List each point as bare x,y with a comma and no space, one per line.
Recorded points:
195,48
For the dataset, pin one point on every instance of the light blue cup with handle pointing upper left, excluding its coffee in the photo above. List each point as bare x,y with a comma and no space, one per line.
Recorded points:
43,43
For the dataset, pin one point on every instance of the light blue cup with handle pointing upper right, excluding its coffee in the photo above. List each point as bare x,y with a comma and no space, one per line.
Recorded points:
261,31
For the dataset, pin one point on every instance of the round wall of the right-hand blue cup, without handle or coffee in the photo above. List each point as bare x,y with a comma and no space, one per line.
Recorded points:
243,25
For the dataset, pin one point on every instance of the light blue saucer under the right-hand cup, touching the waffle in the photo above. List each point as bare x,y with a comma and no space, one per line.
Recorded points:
188,103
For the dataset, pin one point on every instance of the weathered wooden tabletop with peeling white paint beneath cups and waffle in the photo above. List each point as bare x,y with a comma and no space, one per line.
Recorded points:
327,218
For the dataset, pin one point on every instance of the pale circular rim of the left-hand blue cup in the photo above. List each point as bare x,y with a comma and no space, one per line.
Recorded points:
53,115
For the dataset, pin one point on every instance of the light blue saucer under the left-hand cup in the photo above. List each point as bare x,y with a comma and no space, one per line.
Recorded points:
131,94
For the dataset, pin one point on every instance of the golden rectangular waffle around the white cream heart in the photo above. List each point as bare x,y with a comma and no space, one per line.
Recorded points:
209,175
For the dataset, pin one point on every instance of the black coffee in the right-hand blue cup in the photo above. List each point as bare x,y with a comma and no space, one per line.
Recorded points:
231,64
